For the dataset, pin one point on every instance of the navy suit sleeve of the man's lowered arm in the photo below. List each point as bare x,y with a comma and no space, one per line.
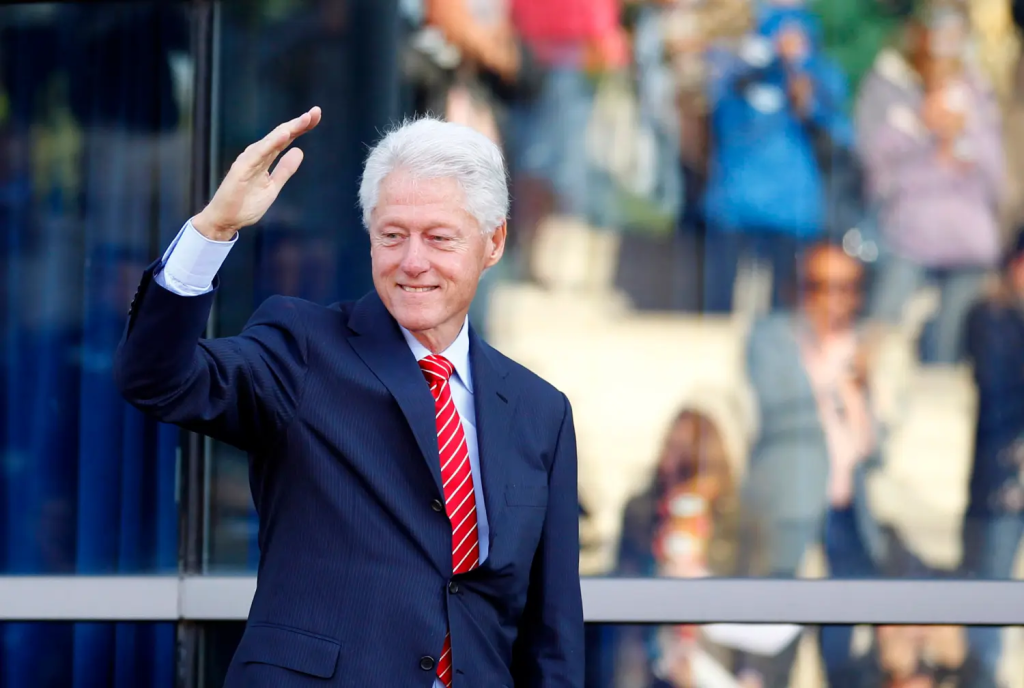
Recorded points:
549,652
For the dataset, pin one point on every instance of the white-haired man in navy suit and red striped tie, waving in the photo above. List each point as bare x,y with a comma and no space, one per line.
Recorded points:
416,490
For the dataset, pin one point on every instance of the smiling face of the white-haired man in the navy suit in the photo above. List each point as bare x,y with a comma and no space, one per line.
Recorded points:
429,255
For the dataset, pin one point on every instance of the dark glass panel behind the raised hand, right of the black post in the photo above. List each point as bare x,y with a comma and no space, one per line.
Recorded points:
279,60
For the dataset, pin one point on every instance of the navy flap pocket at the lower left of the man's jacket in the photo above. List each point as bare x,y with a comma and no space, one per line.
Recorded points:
289,649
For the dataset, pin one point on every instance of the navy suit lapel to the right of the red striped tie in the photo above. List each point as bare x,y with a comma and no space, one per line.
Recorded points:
494,422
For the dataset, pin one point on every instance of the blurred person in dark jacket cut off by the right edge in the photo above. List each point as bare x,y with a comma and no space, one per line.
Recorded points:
995,519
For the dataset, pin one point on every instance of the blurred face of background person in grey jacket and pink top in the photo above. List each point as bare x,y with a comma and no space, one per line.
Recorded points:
833,287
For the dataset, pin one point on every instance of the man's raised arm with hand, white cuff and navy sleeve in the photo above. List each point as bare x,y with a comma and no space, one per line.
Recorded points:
243,391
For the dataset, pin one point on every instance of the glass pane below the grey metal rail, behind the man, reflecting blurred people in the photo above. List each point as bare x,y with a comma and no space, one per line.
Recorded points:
767,657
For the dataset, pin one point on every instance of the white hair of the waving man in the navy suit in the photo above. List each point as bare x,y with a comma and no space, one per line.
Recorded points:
431,149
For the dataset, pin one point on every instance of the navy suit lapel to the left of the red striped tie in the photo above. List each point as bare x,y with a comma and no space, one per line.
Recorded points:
385,351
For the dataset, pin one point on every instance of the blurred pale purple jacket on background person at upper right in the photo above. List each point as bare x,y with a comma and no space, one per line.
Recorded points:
932,214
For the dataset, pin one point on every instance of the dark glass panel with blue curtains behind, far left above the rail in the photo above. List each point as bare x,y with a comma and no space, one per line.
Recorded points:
95,144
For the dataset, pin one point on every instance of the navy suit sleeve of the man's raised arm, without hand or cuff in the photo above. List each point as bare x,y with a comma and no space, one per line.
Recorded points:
242,391
